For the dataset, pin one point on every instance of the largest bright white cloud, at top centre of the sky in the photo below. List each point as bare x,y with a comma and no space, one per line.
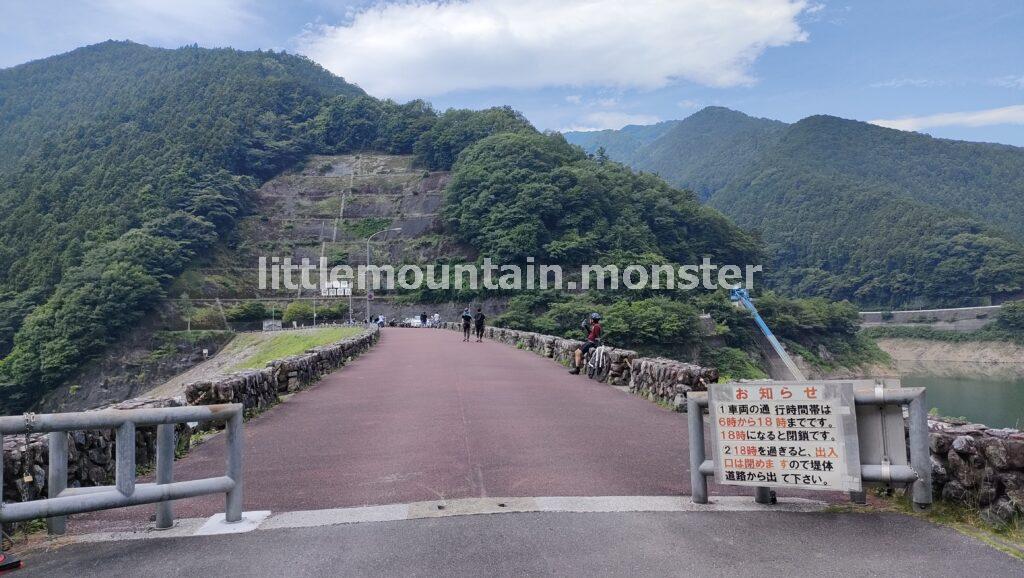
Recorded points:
424,49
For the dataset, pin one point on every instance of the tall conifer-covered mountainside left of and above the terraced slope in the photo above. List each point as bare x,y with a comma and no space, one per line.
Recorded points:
120,166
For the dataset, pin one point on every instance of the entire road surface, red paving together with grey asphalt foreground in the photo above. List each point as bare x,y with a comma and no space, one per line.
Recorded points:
425,418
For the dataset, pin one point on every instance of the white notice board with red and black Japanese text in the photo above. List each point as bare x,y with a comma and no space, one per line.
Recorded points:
794,435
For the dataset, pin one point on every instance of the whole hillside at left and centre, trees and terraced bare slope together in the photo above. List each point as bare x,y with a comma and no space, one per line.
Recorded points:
132,177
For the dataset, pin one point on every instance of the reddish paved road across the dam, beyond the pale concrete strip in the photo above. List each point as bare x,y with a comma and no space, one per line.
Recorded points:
424,417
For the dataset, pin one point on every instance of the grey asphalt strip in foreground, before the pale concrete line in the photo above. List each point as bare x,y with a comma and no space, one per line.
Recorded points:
558,545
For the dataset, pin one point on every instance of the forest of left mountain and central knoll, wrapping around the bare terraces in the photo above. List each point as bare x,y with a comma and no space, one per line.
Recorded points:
122,167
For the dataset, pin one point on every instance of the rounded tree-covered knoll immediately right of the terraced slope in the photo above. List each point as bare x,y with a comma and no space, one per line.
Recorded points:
515,196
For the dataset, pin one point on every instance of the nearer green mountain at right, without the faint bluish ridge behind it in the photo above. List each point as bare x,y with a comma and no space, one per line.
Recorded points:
884,218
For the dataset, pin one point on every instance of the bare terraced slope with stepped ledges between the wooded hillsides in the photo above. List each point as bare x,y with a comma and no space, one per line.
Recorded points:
328,208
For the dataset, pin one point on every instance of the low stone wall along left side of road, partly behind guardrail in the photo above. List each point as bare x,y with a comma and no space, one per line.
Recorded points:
92,455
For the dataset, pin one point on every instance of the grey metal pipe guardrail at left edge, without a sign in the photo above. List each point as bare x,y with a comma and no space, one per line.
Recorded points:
63,502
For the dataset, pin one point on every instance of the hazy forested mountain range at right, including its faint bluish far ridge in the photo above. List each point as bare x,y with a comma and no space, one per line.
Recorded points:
848,210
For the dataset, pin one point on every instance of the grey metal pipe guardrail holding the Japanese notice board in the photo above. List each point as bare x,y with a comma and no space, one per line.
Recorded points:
919,474
